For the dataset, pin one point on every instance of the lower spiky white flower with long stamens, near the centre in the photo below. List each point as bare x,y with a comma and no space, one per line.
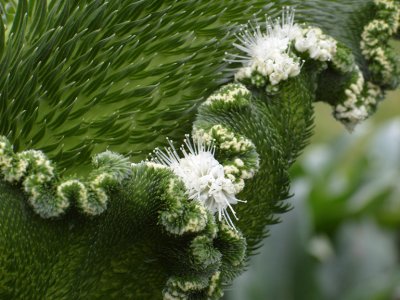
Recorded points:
203,176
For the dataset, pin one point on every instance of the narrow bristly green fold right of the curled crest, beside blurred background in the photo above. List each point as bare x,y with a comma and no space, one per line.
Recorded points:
279,126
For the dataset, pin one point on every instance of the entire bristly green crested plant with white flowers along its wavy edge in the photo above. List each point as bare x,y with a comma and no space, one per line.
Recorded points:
112,80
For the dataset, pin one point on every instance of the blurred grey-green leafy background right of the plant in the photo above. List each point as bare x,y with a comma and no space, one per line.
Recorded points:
341,240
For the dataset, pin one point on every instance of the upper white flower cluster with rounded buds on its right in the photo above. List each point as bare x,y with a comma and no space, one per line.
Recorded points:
269,53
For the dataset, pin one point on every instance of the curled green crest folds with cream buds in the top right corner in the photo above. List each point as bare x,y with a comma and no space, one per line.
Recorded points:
353,94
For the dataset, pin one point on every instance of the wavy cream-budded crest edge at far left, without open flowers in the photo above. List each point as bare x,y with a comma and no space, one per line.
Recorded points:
49,195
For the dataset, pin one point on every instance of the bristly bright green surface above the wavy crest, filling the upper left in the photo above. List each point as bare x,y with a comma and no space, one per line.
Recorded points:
89,75
